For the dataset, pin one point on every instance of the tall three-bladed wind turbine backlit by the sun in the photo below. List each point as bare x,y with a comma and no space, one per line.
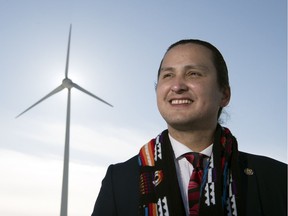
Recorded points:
66,83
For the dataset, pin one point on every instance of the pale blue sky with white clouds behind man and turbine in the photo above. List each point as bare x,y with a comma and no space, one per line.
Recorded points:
116,48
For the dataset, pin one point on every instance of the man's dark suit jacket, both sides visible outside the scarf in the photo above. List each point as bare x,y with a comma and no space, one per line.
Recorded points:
264,192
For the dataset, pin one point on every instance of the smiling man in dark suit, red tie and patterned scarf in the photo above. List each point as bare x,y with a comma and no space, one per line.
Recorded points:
192,89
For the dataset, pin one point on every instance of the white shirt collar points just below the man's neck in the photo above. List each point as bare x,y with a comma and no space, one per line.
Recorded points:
180,149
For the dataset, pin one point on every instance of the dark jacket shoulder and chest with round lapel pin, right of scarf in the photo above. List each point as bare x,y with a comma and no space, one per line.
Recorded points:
262,178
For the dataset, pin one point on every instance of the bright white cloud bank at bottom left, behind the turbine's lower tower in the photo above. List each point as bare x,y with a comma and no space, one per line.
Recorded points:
33,184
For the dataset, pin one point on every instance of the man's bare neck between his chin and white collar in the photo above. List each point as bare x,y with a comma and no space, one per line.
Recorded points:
196,140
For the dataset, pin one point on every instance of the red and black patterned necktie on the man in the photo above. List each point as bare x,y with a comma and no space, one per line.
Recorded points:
196,159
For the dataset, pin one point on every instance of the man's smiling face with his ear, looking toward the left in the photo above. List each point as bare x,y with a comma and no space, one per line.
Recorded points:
188,95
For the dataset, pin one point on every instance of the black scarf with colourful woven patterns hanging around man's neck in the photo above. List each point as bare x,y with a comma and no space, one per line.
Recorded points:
159,189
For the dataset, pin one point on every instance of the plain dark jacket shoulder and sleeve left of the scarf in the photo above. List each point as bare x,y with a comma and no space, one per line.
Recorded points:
120,179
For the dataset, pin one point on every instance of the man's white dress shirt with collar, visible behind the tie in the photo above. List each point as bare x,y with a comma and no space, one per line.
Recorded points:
184,168
